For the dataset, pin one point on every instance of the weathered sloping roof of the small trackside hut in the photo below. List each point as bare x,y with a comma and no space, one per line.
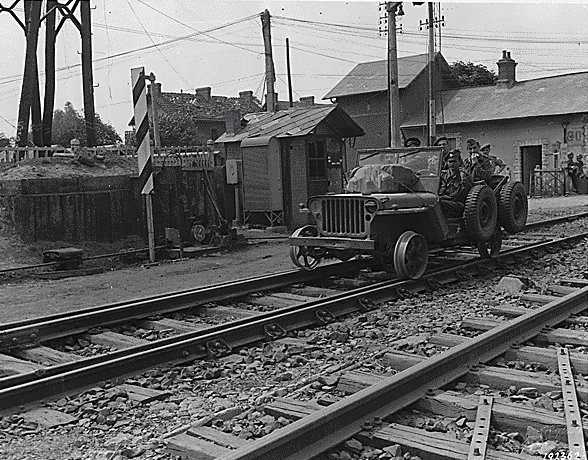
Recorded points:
295,122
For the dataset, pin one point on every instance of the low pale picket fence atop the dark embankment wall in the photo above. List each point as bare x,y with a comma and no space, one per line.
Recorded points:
189,157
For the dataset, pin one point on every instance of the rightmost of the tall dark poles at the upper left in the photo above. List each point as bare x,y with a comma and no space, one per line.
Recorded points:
87,75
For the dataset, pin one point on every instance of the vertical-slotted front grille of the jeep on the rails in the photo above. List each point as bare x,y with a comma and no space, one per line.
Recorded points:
342,216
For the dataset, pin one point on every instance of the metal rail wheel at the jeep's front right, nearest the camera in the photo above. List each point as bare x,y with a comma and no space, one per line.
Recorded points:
411,255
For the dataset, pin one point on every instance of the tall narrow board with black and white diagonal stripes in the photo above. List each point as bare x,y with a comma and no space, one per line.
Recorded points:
144,154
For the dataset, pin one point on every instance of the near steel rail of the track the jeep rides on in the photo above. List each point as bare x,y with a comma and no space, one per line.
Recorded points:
25,388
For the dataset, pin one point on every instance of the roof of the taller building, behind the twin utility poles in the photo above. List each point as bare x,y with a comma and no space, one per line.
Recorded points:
369,77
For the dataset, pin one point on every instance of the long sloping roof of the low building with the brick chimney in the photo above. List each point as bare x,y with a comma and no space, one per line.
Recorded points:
557,95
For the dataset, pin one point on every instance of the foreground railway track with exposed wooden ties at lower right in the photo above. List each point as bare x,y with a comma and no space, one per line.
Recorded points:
463,401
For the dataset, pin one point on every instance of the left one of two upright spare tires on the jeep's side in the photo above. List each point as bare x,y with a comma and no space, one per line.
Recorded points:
480,213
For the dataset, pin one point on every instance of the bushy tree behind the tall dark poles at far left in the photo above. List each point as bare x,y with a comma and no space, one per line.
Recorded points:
70,124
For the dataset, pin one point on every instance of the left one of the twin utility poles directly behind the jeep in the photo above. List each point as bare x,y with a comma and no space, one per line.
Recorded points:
393,8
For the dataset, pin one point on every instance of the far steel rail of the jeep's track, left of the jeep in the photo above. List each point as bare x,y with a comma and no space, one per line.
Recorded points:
33,331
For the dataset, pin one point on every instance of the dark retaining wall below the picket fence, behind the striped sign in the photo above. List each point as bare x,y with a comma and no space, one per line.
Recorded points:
107,209
